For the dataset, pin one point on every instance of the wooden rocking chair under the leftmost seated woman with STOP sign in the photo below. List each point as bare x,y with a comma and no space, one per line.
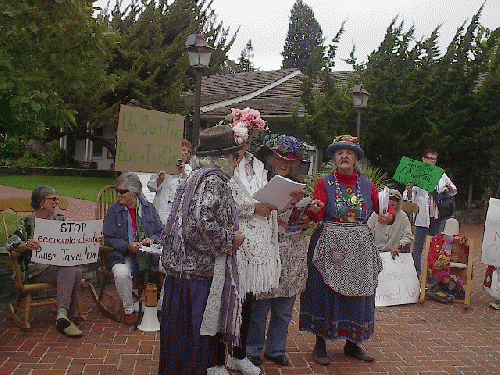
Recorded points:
27,295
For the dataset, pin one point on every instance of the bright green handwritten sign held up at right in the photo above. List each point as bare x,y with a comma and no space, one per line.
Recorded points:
415,172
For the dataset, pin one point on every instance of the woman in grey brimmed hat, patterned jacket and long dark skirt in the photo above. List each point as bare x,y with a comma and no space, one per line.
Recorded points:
201,310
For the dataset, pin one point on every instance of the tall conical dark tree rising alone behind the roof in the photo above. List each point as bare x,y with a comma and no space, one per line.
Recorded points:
304,37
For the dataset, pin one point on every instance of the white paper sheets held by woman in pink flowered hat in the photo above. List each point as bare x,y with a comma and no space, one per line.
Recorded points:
277,191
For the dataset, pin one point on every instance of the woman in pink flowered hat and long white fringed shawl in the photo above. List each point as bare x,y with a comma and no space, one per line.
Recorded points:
259,265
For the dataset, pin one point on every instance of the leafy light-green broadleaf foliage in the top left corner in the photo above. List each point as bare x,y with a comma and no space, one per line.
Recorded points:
52,56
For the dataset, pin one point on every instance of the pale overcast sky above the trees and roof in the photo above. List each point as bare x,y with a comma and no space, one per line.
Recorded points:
265,22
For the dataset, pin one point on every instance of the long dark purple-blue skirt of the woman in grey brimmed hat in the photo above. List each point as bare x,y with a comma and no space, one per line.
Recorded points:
182,349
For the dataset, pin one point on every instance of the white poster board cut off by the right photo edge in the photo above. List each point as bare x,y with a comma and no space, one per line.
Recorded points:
491,239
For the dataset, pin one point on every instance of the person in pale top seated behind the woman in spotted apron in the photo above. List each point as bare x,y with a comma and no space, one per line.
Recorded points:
396,237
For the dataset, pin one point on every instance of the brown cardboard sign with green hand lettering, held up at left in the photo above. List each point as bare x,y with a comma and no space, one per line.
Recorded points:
148,141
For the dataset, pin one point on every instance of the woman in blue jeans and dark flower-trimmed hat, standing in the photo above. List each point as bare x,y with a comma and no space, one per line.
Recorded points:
282,154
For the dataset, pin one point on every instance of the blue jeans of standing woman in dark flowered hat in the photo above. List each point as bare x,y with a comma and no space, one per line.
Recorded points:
277,331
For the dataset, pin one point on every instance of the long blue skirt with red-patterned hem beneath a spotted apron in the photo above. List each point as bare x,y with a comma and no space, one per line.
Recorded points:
329,314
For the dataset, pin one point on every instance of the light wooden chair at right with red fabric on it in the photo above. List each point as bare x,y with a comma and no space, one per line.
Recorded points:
462,268
